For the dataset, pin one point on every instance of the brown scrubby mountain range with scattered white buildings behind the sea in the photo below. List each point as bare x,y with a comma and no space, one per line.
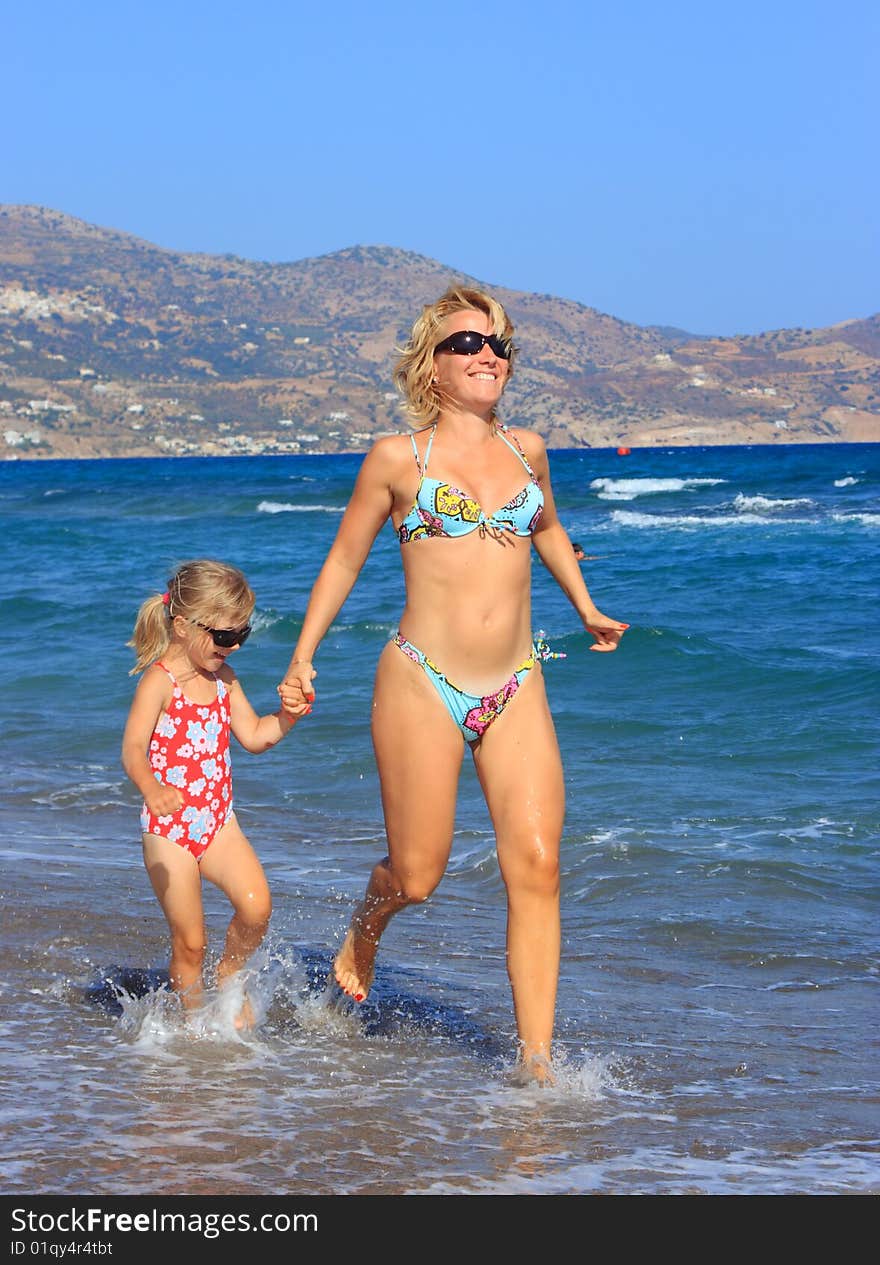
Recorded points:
114,347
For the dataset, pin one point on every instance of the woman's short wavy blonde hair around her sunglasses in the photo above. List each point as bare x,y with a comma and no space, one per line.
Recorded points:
414,373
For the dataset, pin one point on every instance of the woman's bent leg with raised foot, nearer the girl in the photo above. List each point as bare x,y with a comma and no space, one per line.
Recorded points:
419,753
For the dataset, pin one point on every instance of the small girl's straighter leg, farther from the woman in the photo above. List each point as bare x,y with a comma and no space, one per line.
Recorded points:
176,881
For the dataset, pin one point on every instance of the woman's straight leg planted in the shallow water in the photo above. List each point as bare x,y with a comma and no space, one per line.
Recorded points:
522,775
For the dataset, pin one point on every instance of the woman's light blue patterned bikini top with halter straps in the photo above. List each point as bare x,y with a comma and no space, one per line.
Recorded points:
443,510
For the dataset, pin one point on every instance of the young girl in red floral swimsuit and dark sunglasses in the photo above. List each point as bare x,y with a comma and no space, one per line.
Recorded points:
176,752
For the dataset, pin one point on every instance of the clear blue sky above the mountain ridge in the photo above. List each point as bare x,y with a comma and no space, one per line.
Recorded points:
712,168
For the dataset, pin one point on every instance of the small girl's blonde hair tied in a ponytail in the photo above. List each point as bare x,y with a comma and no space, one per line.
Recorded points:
202,590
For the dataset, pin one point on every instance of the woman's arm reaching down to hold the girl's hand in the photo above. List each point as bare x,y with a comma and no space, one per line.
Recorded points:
365,517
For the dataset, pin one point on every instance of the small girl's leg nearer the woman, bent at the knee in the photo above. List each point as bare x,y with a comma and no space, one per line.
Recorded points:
233,866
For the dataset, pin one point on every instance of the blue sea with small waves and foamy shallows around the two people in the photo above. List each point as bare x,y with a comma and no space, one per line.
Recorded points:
719,997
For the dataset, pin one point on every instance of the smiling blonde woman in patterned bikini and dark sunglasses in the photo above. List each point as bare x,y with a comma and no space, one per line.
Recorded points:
463,669
